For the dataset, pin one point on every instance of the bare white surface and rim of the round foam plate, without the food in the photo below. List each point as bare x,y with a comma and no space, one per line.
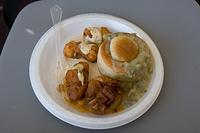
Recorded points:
42,73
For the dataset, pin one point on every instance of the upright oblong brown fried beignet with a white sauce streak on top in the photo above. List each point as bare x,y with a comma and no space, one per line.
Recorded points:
76,80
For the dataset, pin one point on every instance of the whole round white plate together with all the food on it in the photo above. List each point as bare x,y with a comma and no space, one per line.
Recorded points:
106,72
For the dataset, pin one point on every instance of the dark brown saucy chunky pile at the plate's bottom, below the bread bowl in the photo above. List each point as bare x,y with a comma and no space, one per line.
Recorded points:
103,96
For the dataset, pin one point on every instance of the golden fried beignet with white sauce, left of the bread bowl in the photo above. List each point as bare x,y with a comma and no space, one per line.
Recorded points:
80,49
